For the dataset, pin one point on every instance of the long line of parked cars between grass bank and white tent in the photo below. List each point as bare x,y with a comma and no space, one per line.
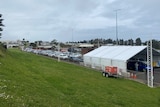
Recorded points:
70,56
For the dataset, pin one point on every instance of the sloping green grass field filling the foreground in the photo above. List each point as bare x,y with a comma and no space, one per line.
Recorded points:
29,80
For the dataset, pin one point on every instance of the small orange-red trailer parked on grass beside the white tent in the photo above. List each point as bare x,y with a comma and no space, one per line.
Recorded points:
110,71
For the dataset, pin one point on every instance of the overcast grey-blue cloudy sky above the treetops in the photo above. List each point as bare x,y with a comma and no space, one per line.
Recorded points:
75,20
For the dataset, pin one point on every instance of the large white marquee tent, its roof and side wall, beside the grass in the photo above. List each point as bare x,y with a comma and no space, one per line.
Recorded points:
112,56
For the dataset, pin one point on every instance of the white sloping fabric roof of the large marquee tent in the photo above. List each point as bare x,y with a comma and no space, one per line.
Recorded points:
116,52
